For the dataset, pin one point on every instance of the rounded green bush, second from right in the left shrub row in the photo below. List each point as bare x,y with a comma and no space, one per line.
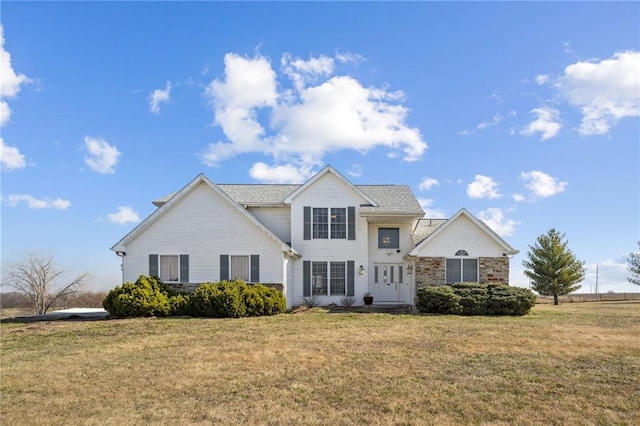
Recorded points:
218,300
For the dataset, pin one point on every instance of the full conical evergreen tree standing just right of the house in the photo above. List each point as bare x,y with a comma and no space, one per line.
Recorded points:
552,267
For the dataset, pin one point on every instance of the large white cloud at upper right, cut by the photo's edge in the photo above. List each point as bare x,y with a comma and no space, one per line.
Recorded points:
604,90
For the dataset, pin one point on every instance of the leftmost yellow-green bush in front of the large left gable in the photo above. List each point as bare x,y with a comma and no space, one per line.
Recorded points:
145,298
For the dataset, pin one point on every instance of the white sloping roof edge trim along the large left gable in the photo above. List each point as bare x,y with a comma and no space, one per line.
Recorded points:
177,197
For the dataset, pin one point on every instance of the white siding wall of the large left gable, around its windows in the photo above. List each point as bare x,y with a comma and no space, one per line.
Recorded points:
204,225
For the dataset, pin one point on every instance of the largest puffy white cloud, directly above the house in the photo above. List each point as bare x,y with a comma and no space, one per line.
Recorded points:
322,113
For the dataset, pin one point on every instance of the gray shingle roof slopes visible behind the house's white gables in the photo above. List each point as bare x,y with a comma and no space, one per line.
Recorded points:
391,199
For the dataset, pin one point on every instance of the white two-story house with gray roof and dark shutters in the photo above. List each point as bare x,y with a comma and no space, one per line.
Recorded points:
326,239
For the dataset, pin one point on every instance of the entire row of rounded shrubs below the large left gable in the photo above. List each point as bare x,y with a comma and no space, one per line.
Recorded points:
148,296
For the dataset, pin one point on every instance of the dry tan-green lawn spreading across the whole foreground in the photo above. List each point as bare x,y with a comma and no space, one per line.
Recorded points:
567,364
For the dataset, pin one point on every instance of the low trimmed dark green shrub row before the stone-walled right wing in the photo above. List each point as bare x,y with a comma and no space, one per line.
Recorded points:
475,299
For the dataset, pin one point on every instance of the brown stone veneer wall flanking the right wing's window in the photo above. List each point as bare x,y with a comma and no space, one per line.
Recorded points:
431,270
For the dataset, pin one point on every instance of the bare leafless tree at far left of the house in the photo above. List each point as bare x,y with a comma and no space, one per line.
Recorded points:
37,277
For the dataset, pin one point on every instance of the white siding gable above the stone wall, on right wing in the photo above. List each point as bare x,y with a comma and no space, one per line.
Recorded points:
461,234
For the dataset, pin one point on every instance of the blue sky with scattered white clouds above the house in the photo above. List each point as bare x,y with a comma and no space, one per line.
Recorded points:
526,114
